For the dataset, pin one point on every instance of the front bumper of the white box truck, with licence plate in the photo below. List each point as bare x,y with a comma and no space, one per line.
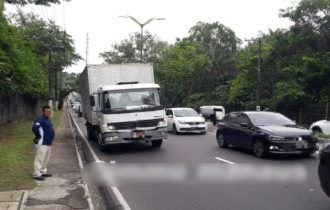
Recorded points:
129,136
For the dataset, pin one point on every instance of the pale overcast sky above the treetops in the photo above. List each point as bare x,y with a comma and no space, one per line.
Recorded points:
100,20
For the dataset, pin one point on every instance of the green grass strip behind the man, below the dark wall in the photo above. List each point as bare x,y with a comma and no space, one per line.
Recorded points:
17,154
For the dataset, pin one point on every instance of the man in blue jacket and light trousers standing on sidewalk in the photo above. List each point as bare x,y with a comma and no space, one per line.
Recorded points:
44,135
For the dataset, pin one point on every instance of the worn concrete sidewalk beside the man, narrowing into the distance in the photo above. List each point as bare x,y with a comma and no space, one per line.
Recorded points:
62,191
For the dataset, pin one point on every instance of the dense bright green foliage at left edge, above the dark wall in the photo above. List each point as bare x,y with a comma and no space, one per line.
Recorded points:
20,69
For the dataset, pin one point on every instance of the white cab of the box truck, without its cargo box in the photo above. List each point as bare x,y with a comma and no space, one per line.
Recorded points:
129,112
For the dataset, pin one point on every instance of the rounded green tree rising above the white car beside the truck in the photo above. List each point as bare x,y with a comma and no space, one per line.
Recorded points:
180,73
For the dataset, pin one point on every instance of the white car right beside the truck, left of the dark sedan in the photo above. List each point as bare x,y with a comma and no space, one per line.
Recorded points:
180,120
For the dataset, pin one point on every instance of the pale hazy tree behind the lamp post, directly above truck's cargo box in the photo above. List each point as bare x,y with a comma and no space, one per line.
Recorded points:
127,51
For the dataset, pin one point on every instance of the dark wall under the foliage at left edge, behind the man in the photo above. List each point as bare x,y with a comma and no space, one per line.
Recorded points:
19,107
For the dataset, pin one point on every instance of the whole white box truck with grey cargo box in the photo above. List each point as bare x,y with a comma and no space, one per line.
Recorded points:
121,104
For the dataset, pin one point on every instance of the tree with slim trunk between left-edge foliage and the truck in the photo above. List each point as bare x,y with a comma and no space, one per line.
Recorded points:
54,46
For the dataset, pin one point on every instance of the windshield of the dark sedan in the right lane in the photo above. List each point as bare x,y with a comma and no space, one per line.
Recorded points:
269,118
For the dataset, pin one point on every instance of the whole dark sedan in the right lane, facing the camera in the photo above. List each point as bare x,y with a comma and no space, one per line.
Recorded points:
264,133
